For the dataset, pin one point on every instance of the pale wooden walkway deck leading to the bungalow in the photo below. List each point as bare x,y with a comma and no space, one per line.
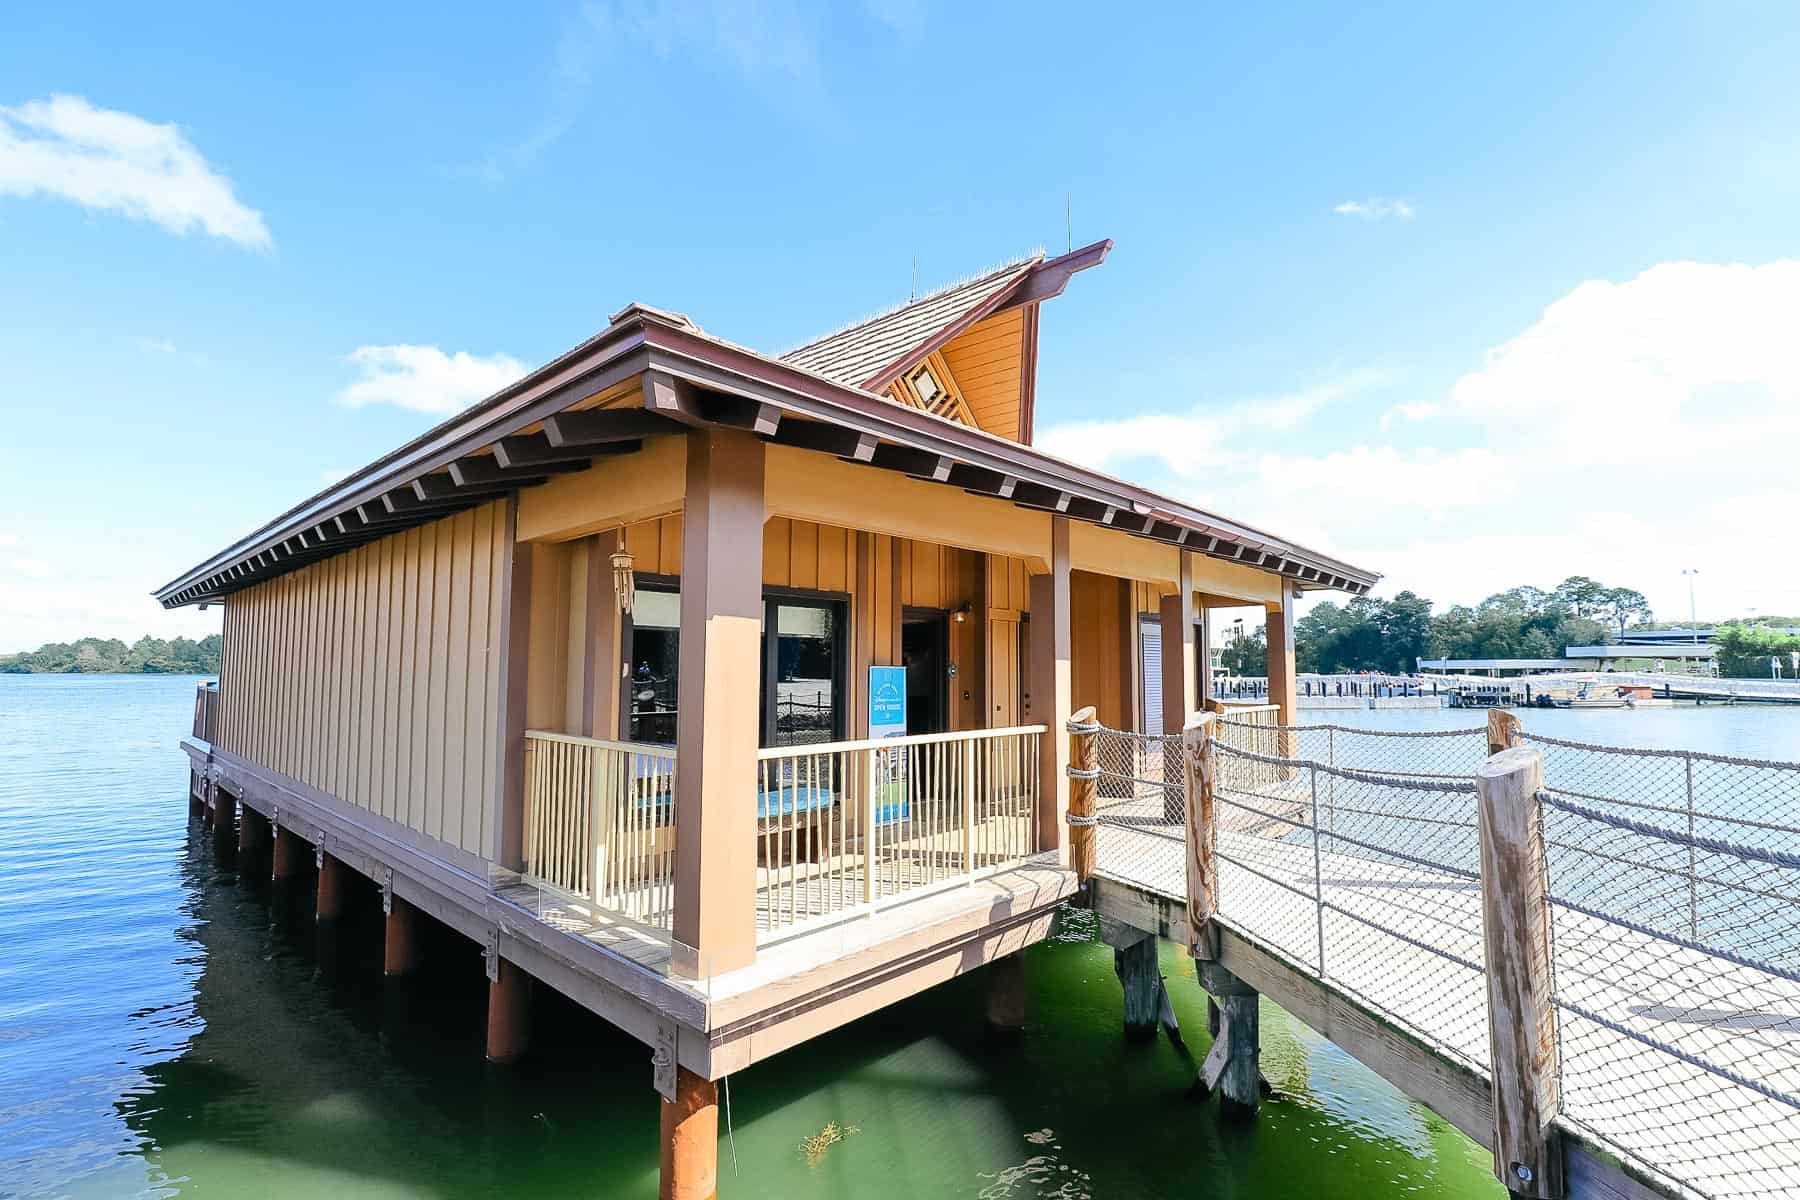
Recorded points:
1392,954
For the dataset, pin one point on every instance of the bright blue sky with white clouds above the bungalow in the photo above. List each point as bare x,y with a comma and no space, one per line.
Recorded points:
1468,300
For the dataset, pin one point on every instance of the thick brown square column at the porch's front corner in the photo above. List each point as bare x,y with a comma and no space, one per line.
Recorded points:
717,730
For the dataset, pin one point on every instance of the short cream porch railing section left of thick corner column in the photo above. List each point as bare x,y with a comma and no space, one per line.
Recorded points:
600,823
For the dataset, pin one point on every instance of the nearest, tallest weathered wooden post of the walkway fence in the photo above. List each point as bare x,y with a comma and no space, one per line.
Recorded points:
1522,1019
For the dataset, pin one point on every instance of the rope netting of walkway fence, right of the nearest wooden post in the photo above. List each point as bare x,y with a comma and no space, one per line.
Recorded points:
1675,888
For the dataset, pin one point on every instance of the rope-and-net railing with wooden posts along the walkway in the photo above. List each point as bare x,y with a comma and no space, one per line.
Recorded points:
1633,915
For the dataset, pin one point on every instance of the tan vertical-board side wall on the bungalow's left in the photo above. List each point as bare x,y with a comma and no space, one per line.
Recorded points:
373,676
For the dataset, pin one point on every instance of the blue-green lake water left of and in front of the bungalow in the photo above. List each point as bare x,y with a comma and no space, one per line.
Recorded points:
170,1030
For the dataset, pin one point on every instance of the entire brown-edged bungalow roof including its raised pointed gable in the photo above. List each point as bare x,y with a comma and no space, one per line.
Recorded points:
546,425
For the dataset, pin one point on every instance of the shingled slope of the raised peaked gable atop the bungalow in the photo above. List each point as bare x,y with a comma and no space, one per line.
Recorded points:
870,350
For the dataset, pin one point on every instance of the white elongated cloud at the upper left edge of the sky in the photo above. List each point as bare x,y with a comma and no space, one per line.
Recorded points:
118,163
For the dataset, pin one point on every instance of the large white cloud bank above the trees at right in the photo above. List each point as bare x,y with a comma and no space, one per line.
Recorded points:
1635,429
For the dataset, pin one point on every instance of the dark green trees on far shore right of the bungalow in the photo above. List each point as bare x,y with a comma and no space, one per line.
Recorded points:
1522,623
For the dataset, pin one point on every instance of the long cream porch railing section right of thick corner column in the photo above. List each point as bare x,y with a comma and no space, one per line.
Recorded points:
850,825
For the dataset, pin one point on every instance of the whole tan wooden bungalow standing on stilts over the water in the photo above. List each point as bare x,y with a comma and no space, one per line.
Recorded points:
721,692
